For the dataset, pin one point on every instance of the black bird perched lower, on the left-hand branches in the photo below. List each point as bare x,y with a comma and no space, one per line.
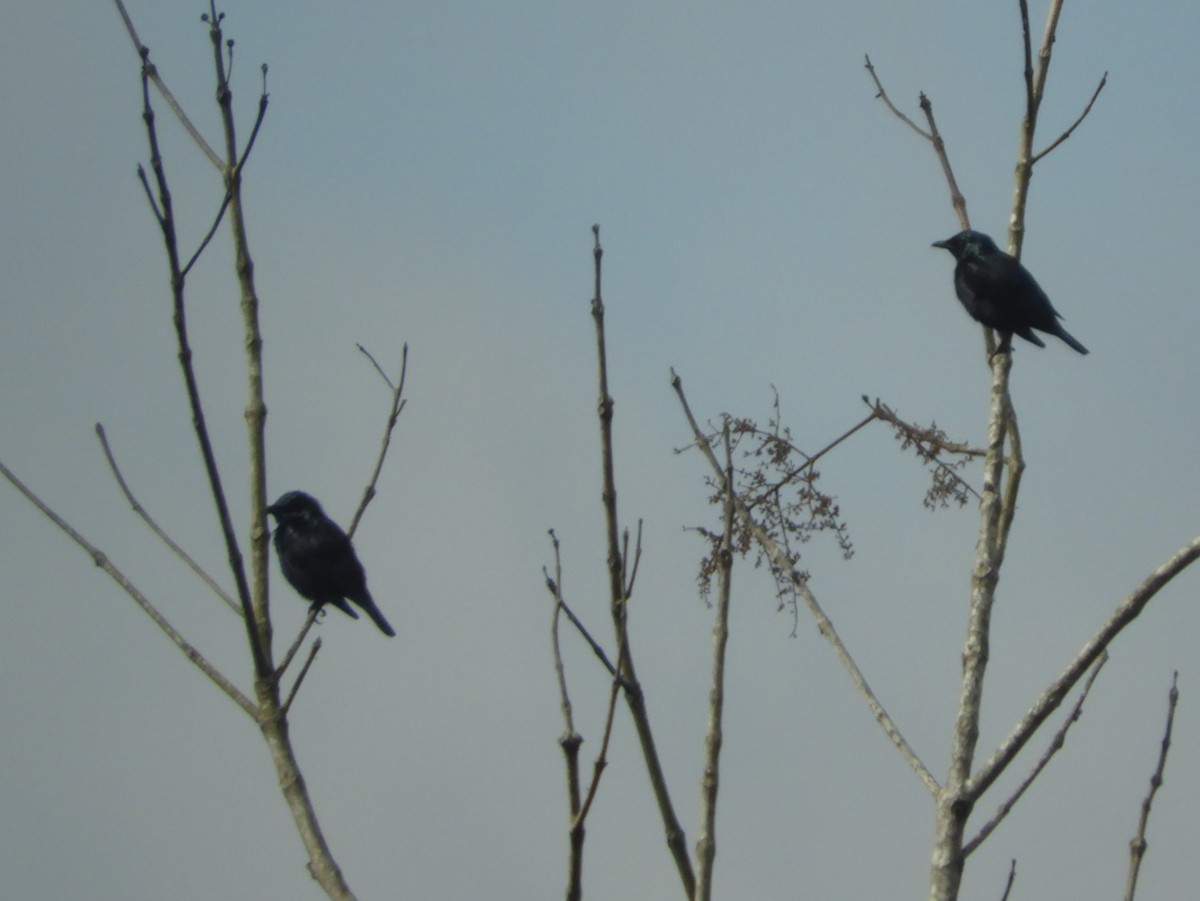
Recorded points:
319,560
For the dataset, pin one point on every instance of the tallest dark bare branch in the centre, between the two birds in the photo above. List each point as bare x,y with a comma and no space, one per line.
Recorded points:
619,598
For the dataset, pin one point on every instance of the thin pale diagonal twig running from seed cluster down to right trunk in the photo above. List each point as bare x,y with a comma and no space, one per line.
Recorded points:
783,563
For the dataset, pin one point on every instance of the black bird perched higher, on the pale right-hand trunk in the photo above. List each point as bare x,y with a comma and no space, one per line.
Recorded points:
999,292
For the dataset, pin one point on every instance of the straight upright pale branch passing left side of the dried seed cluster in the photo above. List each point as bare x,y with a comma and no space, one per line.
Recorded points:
706,848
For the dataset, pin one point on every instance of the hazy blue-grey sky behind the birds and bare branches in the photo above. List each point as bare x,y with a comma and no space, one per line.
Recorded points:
429,173
